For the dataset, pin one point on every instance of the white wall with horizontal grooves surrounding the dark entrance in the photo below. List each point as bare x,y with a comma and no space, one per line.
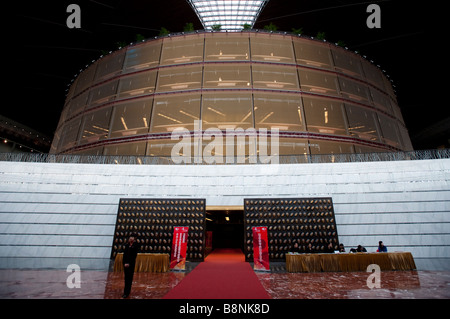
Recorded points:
66,213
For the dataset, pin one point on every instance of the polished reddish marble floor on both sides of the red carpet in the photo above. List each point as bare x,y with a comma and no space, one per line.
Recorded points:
52,284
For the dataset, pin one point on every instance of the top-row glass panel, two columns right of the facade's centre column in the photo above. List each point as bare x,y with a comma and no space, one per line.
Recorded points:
312,54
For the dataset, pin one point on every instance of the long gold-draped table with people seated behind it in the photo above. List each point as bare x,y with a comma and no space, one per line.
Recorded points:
349,262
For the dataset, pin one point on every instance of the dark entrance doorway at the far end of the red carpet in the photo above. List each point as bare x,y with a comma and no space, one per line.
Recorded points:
227,227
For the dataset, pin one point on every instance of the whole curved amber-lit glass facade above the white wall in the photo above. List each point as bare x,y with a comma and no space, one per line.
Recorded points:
322,98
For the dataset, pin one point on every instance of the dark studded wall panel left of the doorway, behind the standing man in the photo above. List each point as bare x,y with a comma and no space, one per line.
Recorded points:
153,221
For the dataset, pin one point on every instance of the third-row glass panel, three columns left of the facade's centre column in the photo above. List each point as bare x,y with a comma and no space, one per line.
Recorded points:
95,126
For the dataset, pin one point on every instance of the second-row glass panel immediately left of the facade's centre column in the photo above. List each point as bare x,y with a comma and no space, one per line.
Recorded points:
179,78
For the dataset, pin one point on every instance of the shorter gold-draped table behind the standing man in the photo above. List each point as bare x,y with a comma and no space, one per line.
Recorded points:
145,263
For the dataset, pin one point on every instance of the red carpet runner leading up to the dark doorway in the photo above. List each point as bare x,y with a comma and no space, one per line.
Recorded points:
223,275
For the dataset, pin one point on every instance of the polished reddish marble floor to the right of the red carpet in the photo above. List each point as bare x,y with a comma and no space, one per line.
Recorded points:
353,285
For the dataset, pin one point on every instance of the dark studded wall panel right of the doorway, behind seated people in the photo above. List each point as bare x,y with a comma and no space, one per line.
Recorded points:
289,221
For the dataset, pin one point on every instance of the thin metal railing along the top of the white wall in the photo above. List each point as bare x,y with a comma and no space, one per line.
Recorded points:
281,159
